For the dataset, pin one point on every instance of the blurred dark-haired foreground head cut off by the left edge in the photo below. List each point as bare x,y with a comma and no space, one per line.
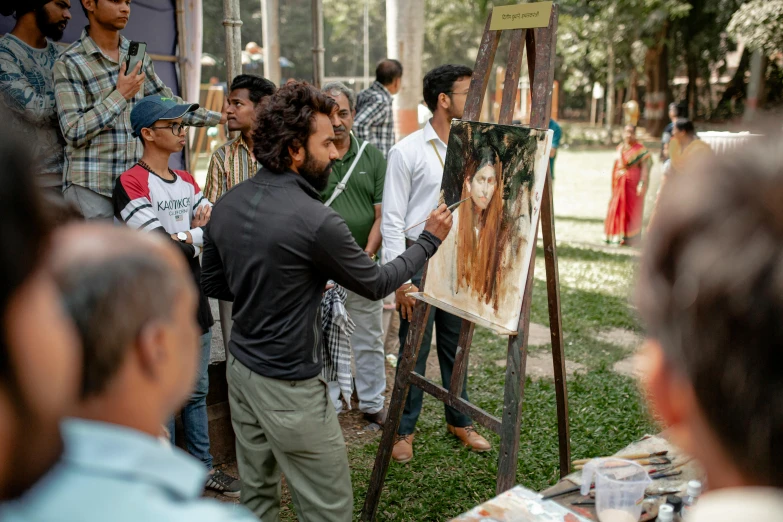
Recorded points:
39,355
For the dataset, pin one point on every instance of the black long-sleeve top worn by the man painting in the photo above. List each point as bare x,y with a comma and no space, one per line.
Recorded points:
270,247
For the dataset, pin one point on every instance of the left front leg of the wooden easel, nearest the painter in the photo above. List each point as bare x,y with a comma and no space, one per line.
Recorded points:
405,367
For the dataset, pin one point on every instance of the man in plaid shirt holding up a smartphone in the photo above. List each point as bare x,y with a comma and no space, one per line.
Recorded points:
94,101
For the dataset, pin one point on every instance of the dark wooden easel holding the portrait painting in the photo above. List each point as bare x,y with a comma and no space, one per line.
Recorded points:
540,44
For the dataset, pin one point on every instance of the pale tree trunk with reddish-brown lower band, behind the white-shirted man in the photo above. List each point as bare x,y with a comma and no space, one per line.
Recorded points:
405,42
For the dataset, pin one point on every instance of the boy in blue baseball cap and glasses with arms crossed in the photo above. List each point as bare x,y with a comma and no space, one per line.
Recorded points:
152,197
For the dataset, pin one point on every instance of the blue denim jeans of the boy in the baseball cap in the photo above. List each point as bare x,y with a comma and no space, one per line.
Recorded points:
194,413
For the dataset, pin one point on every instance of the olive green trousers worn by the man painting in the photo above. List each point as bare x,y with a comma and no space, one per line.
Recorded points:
289,427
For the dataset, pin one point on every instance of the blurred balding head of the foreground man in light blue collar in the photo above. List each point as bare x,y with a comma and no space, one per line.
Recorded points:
133,301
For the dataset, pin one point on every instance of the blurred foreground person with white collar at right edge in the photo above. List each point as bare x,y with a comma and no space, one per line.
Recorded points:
711,295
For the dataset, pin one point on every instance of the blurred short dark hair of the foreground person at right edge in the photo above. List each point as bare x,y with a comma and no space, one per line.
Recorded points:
711,293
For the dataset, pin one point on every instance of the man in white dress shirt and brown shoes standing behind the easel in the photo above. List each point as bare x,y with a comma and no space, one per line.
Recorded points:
411,191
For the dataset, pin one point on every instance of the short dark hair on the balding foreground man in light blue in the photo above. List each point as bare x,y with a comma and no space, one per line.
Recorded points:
110,300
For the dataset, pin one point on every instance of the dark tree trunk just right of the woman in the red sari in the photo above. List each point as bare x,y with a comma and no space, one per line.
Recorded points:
657,92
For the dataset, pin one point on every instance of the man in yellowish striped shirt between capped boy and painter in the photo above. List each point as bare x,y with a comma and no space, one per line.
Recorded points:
234,162
